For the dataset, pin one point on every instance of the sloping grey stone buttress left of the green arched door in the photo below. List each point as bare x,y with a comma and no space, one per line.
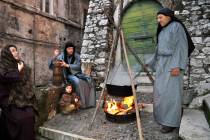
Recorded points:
96,40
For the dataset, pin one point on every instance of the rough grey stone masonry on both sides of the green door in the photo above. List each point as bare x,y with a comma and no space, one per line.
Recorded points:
98,34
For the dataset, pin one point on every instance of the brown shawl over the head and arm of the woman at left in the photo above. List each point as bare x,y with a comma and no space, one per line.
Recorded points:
21,94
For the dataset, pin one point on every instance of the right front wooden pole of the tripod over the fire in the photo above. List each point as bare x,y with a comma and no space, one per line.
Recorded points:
138,119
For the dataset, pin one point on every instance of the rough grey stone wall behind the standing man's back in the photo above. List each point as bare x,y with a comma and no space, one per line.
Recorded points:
196,16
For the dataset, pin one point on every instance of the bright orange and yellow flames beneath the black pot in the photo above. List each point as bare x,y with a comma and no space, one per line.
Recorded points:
120,107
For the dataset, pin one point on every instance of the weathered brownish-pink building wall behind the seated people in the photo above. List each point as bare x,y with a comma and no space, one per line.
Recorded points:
38,26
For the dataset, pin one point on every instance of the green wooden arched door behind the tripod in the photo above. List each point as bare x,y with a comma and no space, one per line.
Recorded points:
139,26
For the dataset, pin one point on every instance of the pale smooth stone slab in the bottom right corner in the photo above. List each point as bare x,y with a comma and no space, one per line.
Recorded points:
194,125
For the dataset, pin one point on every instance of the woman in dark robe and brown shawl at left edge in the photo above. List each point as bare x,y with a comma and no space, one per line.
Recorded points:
17,100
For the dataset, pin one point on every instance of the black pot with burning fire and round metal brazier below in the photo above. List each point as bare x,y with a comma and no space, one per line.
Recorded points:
119,104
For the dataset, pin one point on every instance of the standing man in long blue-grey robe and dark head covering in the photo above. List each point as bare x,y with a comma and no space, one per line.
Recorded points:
169,61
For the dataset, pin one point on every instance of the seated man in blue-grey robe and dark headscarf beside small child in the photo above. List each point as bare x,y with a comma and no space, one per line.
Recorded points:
71,63
